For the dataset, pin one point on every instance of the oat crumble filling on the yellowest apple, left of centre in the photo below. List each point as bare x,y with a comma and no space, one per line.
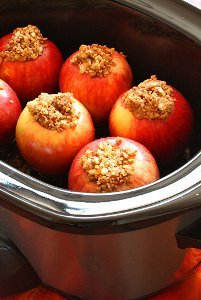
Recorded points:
54,111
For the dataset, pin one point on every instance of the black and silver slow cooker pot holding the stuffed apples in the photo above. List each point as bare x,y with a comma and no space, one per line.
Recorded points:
116,245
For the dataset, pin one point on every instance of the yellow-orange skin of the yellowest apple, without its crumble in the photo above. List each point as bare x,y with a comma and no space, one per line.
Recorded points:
50,152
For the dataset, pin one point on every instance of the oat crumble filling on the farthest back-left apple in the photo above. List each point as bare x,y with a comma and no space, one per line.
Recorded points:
25,44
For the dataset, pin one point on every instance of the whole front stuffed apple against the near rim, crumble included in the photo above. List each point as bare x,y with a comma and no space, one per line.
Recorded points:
112,164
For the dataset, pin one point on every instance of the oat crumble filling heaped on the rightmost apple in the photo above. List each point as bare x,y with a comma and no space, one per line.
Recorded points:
151,99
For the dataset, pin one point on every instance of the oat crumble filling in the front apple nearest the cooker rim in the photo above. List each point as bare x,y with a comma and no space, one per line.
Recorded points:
109,166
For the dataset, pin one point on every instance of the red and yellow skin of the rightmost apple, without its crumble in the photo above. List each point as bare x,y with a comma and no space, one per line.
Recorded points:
164,138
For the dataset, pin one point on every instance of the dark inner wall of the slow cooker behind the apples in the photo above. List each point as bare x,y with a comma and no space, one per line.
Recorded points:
151,46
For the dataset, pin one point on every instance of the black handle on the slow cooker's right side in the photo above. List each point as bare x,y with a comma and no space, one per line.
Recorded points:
190,237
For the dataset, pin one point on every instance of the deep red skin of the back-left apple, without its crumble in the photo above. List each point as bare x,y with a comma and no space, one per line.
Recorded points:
30,78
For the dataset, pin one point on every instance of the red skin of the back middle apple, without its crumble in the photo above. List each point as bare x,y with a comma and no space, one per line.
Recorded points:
97,94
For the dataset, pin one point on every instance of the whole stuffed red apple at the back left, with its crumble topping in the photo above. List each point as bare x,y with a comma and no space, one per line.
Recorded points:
29,63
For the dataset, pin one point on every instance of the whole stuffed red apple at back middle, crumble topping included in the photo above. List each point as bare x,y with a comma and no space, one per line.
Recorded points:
97,76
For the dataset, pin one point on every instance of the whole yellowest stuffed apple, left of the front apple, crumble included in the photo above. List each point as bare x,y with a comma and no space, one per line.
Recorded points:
51,130
